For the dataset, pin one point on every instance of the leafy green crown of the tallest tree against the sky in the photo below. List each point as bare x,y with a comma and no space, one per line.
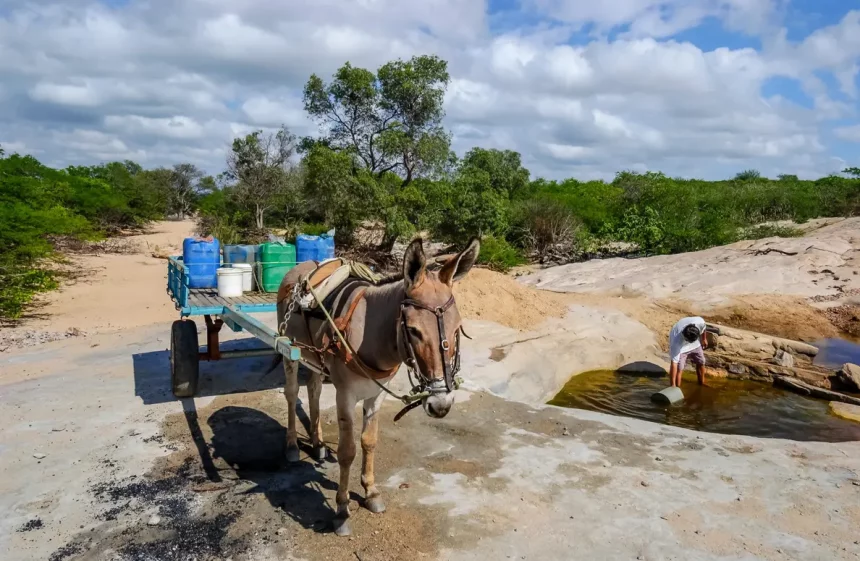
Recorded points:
390,121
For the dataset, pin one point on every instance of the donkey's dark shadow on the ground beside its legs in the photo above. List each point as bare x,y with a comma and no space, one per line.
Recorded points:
254,445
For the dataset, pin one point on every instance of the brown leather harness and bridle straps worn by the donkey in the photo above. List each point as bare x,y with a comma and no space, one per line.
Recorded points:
422,384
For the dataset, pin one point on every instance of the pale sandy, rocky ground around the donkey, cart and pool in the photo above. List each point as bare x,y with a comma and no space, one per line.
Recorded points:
99,461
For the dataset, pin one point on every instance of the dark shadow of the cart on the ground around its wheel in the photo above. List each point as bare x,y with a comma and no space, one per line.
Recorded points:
236,375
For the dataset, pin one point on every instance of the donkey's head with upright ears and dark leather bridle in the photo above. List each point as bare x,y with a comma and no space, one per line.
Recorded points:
430,322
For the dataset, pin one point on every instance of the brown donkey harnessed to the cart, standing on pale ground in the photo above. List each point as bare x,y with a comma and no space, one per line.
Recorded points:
405,319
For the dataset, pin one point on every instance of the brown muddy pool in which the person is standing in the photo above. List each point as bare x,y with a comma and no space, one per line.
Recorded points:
725,406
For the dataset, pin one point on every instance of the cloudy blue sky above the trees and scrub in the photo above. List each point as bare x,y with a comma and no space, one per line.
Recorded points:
581,88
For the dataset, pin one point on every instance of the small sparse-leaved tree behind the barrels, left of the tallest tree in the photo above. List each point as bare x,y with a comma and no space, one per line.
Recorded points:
263,169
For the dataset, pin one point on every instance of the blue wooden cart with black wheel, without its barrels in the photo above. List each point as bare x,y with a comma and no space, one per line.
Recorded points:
185,352
